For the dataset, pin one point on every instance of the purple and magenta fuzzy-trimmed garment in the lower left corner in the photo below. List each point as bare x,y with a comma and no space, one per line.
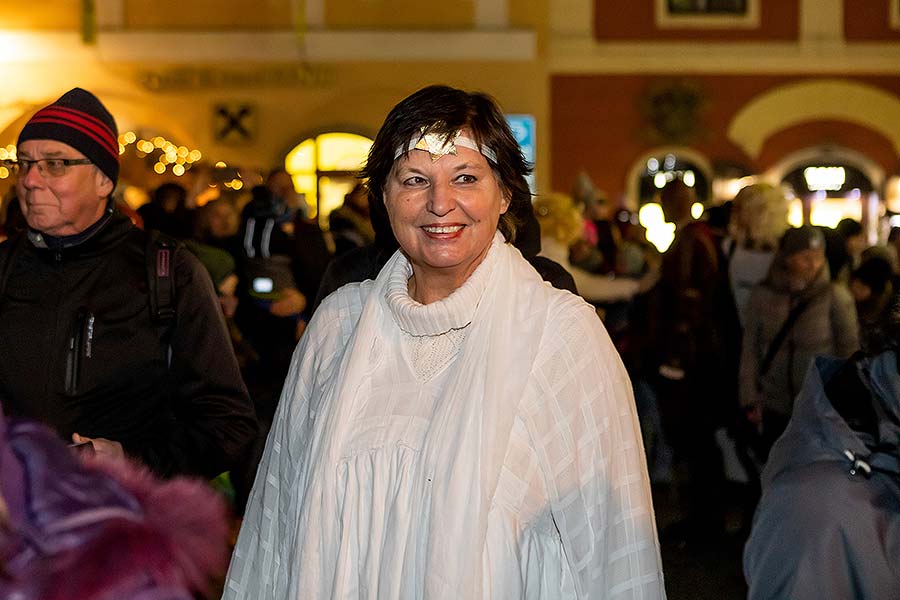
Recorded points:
98,529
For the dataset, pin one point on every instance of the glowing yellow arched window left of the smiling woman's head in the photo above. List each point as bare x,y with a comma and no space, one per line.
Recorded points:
325,168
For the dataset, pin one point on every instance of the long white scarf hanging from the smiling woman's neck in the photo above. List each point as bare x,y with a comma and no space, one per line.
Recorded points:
476,411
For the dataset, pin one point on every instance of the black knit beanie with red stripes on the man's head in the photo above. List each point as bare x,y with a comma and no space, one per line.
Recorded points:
80,120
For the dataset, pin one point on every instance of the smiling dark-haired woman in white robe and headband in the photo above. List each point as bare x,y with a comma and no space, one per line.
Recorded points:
455,428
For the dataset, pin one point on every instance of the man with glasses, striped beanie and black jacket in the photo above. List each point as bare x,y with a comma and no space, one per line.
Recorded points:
119,341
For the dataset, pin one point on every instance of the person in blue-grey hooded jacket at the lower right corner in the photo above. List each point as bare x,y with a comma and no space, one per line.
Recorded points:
828,524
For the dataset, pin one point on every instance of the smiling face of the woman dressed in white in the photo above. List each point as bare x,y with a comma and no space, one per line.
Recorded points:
444,213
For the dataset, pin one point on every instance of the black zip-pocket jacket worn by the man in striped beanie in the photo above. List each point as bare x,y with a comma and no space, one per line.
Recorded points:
82,353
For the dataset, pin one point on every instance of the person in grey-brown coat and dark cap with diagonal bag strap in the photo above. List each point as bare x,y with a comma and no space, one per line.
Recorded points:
794,315
